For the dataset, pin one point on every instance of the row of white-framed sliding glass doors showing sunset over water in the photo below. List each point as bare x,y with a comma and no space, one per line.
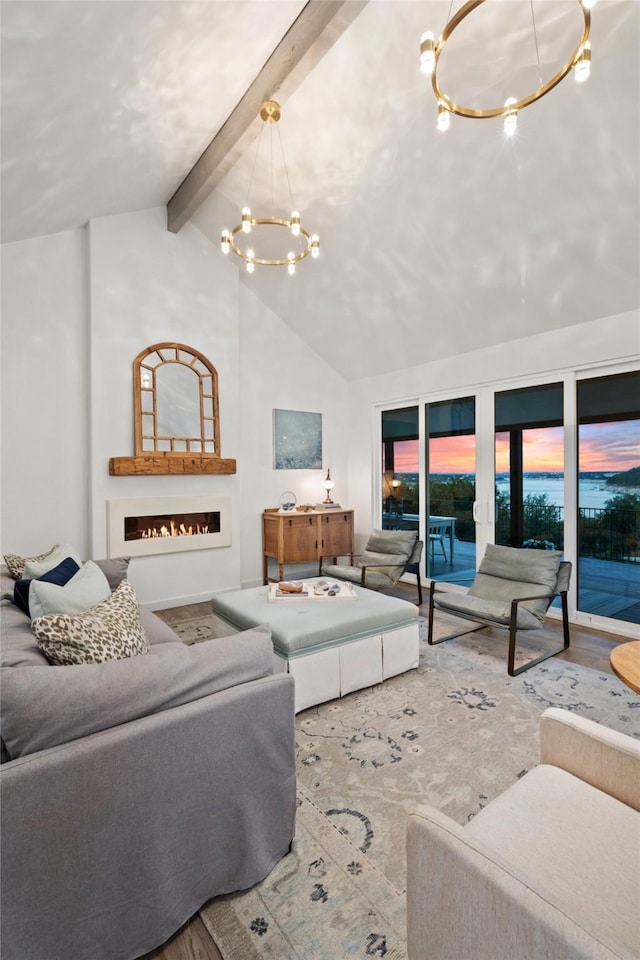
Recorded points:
554,466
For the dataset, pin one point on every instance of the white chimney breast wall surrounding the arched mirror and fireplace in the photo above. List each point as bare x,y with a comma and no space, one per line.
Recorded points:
148,285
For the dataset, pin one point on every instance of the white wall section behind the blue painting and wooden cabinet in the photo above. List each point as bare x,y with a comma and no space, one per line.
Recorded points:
279,371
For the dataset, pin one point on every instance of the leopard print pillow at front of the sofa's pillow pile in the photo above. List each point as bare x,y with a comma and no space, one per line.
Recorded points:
109,631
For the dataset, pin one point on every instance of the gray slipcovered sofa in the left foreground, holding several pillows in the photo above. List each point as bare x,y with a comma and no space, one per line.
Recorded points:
135,790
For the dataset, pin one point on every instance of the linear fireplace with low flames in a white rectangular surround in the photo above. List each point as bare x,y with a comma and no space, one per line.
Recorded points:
143,526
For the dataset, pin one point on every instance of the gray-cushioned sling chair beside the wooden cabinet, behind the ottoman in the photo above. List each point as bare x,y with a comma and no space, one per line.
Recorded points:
385,559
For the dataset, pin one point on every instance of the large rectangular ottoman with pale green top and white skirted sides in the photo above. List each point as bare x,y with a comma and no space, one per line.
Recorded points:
331,645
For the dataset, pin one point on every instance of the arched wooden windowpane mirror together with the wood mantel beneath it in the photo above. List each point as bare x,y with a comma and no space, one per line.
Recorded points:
177,427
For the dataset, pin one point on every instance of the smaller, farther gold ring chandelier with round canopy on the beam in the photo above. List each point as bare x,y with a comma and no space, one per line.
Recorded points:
304,242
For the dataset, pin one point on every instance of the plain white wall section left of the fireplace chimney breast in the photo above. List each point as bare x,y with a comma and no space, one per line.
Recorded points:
45,462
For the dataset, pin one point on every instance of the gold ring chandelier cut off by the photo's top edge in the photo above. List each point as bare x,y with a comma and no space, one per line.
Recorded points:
431,51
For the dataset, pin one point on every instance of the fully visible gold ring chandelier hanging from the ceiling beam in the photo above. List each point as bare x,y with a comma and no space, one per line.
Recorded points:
239,239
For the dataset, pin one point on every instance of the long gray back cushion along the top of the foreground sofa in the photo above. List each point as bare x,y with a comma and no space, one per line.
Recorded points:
42,707
